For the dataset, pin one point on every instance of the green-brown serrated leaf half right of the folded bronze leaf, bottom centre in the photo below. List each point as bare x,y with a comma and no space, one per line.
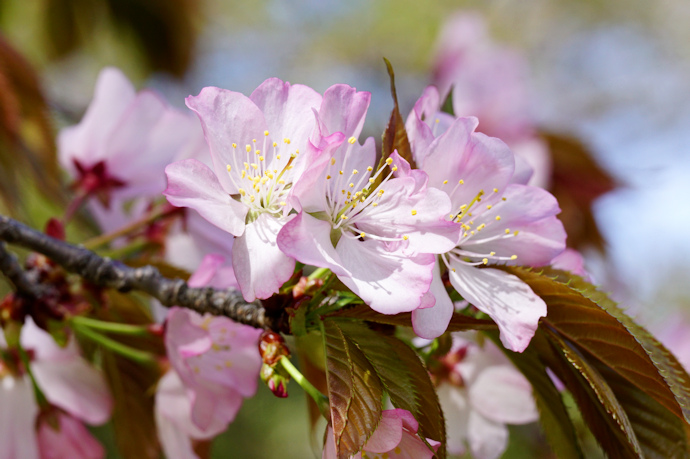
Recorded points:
404,376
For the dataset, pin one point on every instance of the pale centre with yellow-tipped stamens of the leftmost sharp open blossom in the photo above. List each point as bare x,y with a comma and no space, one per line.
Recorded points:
263,174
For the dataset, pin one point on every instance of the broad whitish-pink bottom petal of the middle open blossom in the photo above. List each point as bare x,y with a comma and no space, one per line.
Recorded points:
389,282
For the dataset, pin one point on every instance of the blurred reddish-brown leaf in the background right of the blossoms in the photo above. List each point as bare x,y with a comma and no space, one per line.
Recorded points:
577,180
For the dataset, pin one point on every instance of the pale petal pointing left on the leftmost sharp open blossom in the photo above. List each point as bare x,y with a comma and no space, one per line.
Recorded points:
192,184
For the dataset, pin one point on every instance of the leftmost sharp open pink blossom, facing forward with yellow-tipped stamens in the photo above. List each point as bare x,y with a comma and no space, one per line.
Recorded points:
260,146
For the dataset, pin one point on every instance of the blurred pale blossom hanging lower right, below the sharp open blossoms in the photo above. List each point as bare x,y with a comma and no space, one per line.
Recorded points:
481,392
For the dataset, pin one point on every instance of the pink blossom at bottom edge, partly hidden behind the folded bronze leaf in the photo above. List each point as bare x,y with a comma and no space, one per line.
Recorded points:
394,438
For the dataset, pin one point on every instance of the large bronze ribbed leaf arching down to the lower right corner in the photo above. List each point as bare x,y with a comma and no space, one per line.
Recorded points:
631,391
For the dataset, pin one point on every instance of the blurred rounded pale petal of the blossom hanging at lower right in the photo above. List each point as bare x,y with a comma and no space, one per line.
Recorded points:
503,395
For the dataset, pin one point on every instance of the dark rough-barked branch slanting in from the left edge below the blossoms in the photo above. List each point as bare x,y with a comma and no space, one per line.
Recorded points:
105,272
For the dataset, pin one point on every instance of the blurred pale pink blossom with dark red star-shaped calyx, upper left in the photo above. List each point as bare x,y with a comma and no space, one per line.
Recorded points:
124,141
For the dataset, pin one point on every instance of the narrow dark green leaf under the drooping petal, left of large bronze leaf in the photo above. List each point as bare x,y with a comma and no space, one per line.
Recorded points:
553,414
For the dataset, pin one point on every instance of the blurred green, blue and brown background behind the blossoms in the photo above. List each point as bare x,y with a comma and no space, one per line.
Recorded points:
613,76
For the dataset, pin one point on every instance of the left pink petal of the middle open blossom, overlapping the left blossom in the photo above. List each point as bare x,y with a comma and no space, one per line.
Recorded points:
307,239
